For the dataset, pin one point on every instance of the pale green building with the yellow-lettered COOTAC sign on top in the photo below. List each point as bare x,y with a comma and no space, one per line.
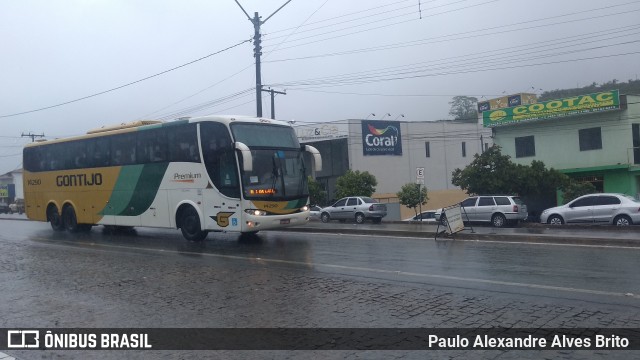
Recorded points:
592,137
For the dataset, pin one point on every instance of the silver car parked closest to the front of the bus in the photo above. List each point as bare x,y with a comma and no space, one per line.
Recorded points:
358,208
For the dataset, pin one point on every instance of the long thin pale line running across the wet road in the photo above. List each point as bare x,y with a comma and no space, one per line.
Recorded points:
362,269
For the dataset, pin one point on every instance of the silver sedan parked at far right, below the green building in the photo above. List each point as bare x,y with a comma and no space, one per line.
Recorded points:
605,208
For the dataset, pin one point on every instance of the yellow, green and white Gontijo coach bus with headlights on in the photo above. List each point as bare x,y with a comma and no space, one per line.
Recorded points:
212,173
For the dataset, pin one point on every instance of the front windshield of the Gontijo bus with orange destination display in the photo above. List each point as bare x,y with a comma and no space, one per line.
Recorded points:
278,165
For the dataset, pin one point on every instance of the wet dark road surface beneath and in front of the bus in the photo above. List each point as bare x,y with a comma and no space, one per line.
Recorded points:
153,278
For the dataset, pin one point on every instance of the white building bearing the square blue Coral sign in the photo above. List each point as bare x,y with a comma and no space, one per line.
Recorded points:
393,151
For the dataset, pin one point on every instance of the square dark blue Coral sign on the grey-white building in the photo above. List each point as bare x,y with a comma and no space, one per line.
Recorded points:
381,138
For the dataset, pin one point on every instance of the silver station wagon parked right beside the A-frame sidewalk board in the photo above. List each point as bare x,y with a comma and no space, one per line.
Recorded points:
495,209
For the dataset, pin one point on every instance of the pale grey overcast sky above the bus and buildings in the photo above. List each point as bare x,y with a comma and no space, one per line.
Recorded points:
335,59
